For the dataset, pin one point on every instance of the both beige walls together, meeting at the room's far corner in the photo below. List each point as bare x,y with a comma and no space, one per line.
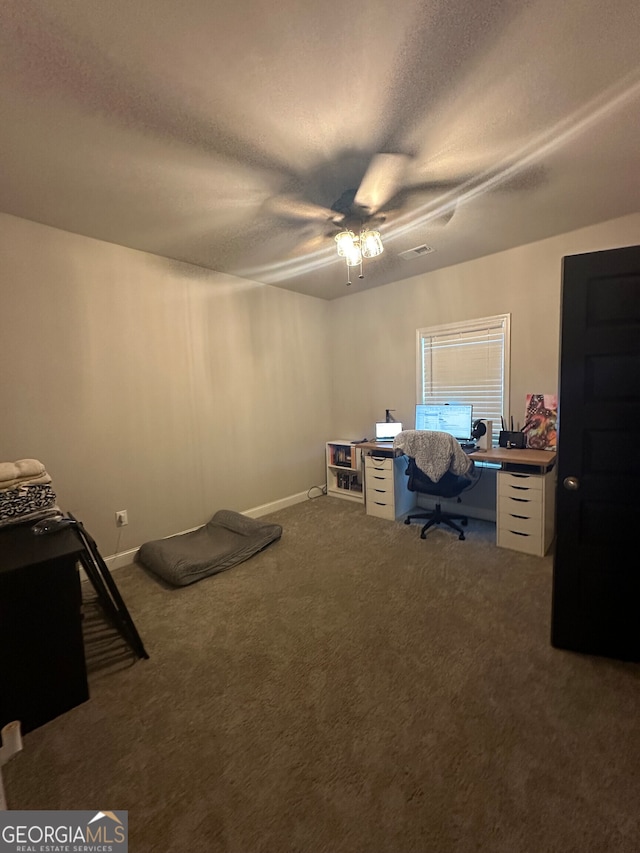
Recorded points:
170,391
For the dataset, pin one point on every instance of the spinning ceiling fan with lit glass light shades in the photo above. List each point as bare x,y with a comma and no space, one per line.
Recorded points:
355,216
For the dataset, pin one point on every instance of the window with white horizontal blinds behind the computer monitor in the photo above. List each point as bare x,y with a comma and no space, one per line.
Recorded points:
467,363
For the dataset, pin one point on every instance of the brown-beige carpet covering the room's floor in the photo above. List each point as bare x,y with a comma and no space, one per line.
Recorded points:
352,688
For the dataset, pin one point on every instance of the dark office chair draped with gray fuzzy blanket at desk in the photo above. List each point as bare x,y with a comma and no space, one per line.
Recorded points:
450,470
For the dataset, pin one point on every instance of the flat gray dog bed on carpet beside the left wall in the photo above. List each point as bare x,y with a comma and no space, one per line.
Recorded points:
228,539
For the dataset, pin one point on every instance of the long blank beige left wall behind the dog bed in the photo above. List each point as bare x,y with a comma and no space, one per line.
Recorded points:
155,386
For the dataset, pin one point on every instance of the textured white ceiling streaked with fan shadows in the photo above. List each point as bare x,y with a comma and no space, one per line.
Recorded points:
174,127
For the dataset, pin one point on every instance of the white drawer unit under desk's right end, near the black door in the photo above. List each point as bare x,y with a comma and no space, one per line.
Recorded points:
525,511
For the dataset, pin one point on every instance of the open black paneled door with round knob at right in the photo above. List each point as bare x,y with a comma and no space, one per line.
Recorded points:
596,574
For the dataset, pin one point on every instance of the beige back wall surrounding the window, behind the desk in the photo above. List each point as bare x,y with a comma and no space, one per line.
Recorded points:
374,333
